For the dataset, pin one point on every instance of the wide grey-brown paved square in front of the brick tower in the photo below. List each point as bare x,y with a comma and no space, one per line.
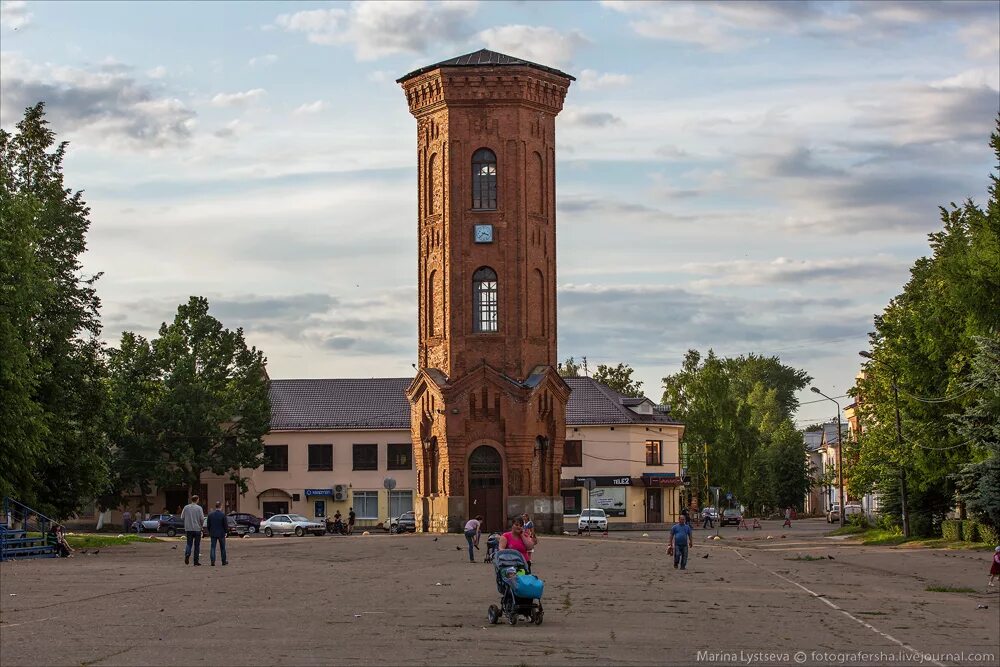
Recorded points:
608,600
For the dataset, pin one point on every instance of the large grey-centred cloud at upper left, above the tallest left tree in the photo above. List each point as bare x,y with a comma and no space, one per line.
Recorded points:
106,103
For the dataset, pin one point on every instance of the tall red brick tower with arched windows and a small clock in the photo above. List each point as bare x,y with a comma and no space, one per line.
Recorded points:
488,409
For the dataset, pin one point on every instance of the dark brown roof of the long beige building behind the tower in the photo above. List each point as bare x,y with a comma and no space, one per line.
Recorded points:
381,403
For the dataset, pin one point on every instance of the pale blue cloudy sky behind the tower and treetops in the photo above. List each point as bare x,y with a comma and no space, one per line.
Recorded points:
746,177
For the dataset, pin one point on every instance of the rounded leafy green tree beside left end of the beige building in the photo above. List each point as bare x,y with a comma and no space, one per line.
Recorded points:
194,400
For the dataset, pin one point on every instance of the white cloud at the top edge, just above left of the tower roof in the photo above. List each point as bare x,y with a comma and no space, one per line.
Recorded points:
379,29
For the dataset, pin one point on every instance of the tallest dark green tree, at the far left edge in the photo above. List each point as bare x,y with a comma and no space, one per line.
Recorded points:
52,394
